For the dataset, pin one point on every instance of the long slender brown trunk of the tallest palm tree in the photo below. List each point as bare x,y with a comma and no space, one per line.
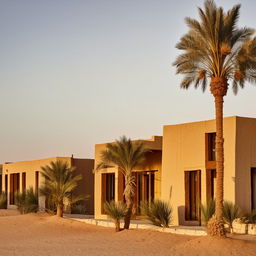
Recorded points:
219,156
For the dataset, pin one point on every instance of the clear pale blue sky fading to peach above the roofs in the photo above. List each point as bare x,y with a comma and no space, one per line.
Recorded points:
77,73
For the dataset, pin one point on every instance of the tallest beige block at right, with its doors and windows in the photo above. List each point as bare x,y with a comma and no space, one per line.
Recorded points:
189,167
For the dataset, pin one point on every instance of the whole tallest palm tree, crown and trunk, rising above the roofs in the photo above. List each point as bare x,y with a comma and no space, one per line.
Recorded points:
216,49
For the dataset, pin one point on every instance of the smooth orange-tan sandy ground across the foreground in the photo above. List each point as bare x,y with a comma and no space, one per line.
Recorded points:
41,234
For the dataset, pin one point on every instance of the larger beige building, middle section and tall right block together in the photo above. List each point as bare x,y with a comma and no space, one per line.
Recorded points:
181,169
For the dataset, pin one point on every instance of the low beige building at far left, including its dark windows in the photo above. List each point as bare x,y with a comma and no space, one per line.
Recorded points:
20,176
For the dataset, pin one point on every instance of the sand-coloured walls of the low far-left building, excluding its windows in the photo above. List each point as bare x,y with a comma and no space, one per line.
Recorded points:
84,167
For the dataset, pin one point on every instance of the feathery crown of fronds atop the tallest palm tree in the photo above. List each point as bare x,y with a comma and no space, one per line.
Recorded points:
216,44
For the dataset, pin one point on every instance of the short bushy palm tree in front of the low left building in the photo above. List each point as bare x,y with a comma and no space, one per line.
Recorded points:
59,184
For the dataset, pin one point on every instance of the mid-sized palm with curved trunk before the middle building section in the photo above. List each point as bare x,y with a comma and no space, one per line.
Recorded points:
126,155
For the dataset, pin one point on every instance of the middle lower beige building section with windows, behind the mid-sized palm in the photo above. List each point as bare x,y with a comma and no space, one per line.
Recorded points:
109,183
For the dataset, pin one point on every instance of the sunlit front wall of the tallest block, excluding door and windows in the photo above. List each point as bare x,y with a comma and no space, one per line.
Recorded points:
184,150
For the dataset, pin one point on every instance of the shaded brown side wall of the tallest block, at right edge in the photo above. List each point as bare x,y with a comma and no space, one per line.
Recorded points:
245,160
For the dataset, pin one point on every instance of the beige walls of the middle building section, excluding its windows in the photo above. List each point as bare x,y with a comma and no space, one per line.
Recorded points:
153,162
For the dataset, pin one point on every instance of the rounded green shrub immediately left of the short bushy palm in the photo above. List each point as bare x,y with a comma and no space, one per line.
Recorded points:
27,201
